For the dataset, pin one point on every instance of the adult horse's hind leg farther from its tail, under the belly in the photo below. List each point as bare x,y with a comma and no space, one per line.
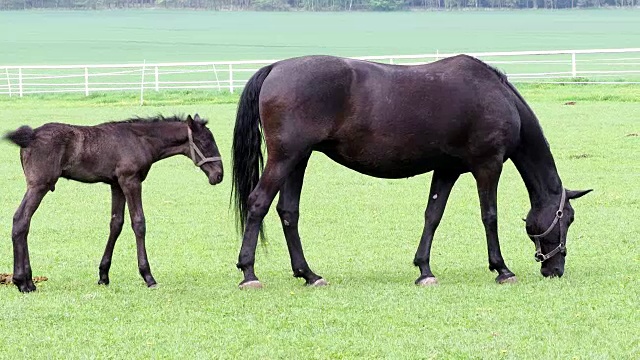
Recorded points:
288,209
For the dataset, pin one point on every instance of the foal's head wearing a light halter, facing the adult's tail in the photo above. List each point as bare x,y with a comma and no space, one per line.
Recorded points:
203,149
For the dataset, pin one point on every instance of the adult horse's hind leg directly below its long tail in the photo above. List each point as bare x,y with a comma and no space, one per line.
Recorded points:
259,202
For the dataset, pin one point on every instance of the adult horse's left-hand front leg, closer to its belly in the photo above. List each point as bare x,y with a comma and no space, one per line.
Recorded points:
441,184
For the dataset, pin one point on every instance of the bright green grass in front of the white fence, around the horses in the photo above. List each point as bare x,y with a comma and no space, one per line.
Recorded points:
359,232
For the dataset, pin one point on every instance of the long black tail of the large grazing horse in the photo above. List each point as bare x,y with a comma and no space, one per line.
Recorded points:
247,147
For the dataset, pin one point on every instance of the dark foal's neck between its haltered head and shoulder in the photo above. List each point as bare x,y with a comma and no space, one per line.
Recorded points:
166,139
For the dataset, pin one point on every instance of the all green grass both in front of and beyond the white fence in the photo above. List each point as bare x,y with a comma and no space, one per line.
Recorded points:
360,233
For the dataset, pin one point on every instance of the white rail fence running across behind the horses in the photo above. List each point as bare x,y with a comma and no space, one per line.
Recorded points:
602,66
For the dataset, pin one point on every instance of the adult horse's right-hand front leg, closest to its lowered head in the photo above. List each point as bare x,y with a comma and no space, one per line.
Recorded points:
487,175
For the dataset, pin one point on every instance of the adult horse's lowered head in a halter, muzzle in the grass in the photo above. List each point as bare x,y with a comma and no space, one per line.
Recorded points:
547,227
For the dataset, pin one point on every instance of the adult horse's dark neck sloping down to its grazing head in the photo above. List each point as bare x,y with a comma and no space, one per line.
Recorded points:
535,163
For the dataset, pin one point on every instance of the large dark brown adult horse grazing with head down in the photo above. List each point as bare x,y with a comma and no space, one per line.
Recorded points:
452,116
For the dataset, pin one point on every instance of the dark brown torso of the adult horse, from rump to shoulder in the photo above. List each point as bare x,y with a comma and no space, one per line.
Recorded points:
391,121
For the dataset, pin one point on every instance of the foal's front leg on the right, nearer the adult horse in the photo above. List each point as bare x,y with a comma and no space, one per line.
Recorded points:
132,189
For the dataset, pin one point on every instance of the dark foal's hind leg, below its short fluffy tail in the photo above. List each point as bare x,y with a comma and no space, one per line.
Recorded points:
22,276
